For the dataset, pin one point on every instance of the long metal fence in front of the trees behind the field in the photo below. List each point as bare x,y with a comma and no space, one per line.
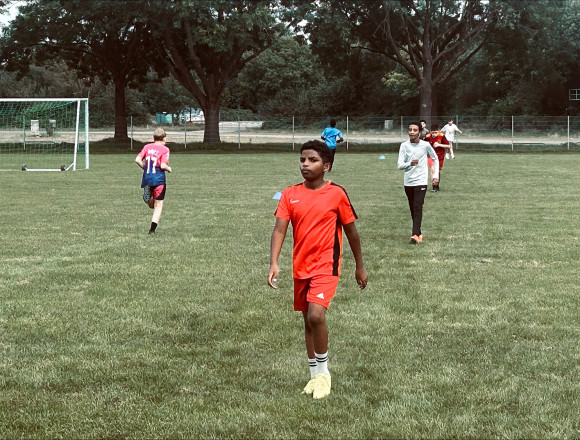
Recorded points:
481,133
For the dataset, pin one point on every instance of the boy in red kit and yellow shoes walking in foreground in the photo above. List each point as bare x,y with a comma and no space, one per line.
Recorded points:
318,210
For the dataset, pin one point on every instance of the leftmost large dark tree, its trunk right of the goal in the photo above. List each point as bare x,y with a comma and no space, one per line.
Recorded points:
107,39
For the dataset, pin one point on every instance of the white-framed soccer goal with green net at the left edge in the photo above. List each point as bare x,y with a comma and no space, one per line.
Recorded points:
44,134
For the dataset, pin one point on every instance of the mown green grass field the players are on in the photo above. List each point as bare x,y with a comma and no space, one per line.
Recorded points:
107,332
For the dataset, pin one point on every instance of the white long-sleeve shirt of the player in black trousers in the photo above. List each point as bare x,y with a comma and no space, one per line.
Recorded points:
419,174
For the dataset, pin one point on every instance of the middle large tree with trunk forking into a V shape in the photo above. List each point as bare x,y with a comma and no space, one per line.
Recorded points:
206,43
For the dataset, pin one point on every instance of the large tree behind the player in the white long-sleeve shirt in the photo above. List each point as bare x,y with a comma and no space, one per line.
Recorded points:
430,39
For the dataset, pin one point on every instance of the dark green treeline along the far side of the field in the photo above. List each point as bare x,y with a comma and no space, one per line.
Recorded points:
279,58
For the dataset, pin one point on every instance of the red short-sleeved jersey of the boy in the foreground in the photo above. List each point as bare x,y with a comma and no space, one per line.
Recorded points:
317,217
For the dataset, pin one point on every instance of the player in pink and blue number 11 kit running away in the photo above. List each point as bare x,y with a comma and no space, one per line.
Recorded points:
154,160
